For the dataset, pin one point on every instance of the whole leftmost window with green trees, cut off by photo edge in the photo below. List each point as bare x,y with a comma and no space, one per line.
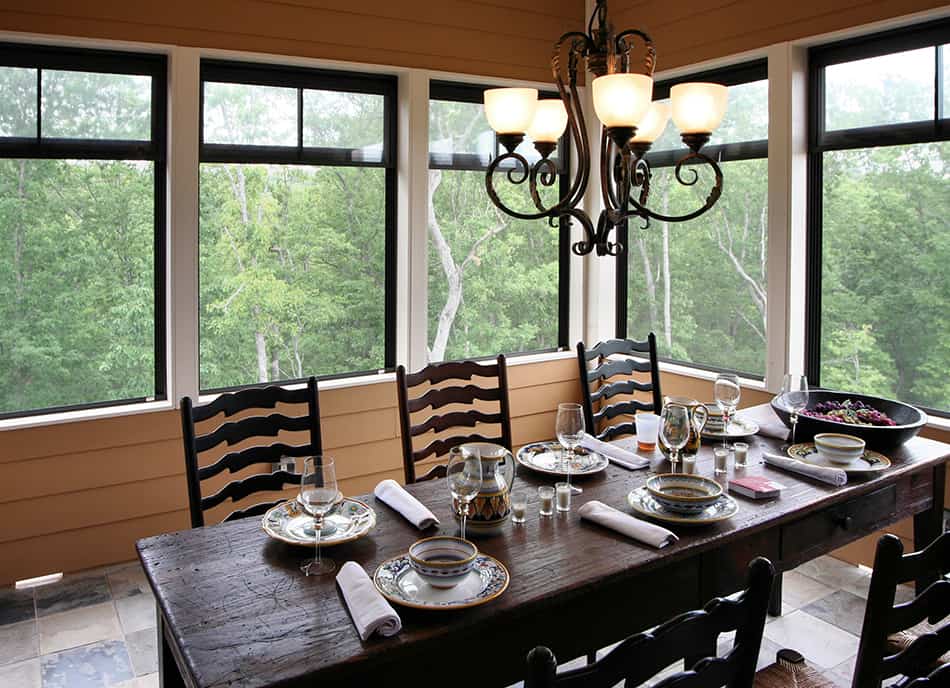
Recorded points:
82,226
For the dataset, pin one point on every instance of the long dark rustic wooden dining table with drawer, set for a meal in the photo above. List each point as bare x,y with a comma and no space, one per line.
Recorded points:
235,610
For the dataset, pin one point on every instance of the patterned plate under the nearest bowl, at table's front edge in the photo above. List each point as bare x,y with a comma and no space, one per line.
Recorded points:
398,583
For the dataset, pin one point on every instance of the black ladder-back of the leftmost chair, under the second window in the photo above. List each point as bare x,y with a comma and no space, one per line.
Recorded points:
249,427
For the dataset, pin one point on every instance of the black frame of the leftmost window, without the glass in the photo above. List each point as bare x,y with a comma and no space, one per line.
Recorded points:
154,150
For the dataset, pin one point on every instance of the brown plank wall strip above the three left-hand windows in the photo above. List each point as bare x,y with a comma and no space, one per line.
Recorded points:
500,39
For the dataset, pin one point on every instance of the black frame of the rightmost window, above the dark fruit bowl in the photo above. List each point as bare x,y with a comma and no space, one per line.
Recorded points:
934,35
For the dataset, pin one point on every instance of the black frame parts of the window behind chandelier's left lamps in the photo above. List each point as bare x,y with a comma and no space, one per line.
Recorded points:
458,92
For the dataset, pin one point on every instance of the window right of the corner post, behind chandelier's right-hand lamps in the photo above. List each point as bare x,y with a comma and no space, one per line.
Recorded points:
701,285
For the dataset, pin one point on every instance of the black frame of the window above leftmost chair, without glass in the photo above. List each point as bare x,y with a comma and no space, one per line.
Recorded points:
301,79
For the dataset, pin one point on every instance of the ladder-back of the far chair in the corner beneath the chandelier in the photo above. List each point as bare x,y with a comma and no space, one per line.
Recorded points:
617,357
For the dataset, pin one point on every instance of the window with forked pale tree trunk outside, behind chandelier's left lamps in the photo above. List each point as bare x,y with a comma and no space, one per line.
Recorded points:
496,284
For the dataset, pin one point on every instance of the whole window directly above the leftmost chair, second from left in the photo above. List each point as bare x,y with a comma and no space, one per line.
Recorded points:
297,232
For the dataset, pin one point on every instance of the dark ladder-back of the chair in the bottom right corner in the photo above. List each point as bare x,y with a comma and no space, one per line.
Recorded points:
876,659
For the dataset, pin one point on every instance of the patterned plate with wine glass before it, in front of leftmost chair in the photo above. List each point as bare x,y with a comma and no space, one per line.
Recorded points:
349,520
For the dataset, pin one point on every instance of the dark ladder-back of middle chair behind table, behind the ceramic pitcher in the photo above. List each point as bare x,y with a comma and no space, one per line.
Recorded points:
434,396
